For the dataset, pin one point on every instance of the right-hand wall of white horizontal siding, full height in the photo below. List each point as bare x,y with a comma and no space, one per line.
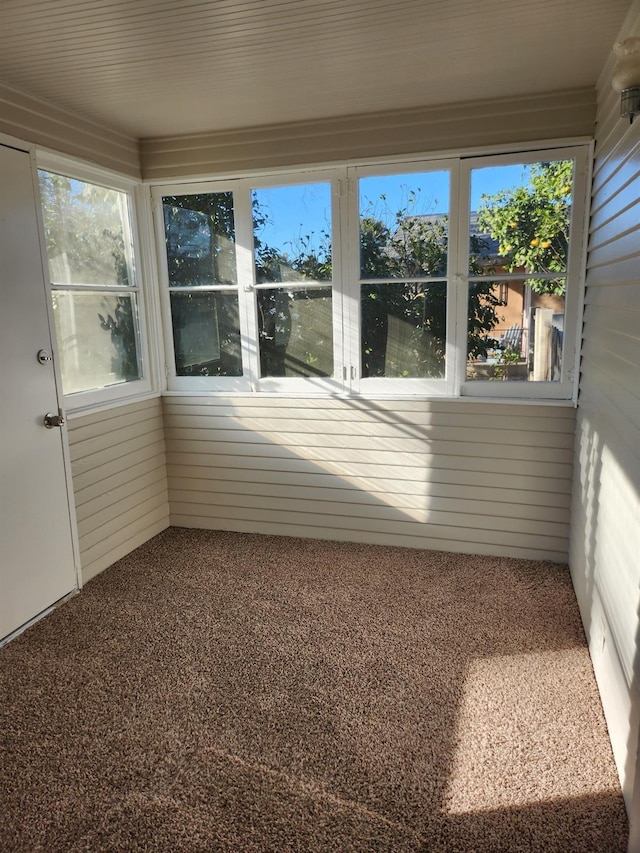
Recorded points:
605,532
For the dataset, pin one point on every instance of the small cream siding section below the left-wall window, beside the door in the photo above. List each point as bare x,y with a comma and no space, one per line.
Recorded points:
118,469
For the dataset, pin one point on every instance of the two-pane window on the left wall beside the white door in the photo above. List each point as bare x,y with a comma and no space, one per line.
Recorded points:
95,293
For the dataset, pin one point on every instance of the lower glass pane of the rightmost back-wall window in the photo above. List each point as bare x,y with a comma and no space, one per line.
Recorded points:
515,332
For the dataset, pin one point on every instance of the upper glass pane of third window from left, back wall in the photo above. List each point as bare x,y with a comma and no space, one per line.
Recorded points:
404,224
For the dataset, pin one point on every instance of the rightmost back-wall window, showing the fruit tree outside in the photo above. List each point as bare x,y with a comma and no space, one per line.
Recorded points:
518,256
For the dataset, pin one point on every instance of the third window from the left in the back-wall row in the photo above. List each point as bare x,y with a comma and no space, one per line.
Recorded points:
403,263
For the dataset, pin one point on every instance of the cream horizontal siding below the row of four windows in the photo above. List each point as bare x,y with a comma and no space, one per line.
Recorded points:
458,476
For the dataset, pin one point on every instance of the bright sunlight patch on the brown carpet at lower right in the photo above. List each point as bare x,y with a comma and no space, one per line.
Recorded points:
527,733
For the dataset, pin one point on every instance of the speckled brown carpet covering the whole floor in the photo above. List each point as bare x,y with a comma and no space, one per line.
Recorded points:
225,692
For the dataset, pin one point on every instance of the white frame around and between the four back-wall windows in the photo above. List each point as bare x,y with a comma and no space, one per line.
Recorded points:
347,379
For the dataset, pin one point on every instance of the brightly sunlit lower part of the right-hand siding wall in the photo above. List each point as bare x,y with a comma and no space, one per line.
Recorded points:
604,568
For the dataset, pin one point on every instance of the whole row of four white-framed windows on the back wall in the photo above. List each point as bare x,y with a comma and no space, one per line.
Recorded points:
451,277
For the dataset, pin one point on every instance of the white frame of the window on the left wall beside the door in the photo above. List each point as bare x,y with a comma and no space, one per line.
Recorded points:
147,384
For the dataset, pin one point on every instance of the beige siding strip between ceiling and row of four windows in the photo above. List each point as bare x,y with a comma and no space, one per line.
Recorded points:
391,134
